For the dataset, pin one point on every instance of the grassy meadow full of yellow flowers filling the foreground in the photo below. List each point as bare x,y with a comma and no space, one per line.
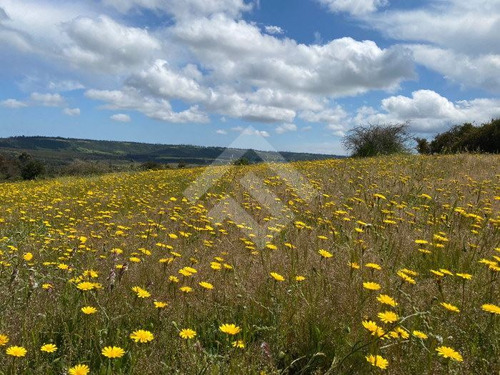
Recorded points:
383,265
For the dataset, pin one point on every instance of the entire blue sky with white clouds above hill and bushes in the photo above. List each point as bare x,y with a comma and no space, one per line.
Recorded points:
299,73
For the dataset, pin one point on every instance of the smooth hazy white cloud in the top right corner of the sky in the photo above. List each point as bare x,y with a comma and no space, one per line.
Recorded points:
456,38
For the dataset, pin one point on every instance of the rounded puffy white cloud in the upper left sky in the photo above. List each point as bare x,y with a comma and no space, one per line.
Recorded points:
122,49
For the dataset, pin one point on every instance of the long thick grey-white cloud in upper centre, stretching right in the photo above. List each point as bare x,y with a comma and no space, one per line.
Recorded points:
238,54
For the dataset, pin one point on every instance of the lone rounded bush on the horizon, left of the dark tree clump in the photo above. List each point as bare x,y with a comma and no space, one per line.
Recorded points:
372,140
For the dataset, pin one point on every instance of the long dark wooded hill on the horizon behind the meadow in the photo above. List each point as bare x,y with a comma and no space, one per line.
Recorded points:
57,151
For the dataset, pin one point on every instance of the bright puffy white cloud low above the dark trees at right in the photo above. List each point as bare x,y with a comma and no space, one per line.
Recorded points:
429,112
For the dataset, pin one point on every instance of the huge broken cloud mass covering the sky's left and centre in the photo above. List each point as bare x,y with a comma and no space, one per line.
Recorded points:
208,59
